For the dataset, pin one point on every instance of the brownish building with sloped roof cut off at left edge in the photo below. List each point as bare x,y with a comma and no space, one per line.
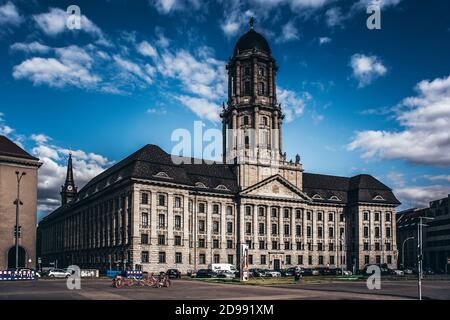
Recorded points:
14,162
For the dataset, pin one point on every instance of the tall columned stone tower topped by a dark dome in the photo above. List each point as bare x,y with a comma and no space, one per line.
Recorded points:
252,119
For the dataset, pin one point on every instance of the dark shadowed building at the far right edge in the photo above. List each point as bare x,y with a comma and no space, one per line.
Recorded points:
436,235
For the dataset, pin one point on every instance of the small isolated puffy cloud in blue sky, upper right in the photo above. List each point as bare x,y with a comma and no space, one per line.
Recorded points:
366,68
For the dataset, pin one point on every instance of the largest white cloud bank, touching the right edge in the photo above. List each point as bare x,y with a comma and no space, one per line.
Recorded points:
425,121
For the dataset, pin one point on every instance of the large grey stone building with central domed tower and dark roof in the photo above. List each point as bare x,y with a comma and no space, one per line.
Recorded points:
152,212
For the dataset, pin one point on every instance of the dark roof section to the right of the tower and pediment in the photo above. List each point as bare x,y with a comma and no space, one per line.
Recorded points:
360,188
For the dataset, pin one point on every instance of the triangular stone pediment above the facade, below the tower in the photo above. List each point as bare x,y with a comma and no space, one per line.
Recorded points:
276,187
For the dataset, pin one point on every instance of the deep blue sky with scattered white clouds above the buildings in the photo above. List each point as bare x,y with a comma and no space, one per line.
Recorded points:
357,100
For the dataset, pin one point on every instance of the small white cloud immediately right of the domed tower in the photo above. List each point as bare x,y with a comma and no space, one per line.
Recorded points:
292,104
